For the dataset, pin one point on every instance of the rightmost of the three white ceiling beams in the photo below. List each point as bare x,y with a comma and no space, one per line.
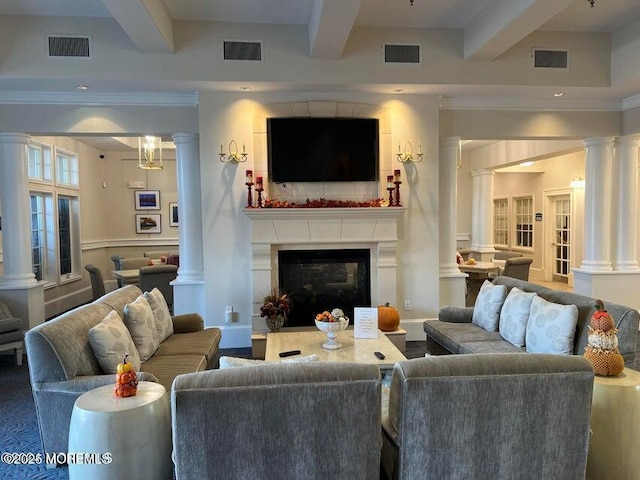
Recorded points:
503,23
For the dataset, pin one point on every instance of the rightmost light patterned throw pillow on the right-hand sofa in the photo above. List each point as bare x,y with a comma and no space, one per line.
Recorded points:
551,327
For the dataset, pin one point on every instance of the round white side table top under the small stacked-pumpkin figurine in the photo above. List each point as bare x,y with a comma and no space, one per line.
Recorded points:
104,400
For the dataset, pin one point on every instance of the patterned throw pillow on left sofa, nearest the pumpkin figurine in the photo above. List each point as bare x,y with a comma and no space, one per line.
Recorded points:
111,341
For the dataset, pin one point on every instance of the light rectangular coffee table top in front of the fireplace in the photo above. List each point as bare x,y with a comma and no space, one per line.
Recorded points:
357,350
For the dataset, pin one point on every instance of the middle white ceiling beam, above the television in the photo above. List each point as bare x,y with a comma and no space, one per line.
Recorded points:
330,25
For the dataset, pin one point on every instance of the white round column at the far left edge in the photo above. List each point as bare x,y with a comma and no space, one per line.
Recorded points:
14,198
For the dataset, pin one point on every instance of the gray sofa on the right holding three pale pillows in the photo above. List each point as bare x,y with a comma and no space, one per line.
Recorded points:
453,332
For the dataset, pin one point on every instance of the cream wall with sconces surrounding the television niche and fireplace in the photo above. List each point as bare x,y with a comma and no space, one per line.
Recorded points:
226,230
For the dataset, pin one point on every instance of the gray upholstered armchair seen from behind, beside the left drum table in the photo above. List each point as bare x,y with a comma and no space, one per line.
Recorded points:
311,421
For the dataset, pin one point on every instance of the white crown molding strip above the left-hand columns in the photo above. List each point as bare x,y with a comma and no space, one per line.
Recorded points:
58,98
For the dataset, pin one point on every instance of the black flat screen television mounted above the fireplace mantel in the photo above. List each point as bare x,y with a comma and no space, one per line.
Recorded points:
322,149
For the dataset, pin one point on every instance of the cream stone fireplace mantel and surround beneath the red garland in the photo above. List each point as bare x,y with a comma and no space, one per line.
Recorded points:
376,228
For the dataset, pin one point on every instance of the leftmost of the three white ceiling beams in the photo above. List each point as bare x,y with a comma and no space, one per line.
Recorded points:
146,22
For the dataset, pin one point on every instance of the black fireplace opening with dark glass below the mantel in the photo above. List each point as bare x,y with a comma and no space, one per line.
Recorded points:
318,280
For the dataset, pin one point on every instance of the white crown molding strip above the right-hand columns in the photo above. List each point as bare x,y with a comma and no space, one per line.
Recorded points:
494,103
